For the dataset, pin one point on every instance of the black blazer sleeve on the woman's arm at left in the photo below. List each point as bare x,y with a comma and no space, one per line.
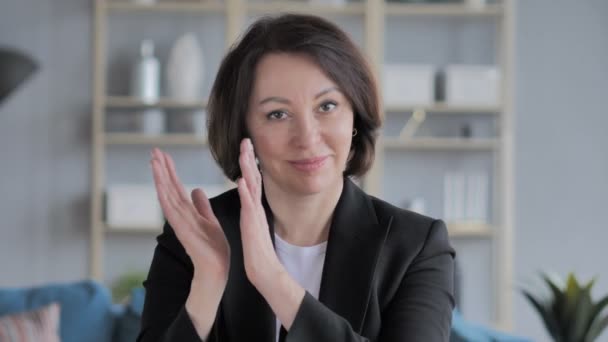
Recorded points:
164,316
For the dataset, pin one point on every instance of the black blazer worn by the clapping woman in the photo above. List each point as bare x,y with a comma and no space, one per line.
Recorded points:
388,276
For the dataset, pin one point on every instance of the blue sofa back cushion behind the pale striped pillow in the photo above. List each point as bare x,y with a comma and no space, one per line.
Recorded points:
86,313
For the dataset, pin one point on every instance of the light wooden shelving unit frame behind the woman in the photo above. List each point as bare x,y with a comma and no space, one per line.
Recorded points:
374,15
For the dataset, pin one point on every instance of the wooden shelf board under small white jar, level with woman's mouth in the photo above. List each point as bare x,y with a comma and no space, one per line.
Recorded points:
182,139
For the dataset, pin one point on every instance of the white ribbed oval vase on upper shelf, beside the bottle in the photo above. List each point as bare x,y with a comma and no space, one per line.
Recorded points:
185,69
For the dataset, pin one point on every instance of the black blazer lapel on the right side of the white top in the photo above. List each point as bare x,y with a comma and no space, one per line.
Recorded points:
355,242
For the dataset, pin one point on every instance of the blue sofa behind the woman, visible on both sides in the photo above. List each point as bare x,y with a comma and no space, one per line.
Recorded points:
87,313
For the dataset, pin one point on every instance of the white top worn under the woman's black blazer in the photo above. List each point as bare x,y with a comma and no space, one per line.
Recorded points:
304,264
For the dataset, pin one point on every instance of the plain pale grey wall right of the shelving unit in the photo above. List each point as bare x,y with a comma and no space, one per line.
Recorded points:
561,145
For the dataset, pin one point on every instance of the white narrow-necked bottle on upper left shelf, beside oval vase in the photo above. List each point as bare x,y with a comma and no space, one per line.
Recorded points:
145,79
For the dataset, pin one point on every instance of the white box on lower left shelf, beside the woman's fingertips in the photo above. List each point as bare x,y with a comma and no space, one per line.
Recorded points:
133,206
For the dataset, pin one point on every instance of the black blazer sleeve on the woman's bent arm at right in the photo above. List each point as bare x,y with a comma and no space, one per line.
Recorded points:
421,309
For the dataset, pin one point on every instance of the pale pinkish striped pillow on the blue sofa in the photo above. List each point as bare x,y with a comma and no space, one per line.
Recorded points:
41,325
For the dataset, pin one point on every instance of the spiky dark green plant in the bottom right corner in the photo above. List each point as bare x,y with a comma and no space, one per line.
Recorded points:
569,313
